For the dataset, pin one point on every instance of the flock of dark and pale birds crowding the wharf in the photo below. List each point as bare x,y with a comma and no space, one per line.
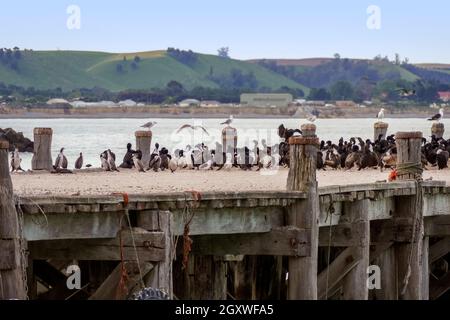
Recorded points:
343,154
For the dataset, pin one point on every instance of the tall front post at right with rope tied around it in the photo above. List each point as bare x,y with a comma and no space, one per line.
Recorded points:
408,211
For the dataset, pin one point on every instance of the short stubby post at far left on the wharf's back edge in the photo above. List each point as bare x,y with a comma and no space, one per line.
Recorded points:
42,155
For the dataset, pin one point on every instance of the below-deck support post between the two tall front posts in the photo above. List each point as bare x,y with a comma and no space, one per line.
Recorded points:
355,281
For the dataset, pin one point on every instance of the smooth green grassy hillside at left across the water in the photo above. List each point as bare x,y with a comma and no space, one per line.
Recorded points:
75,69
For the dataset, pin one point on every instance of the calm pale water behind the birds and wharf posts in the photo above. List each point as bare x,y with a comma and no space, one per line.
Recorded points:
92,136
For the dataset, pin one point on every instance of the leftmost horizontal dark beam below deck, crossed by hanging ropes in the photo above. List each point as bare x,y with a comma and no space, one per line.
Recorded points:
150,246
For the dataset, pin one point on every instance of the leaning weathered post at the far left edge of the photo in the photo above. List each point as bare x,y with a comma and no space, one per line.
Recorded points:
12,282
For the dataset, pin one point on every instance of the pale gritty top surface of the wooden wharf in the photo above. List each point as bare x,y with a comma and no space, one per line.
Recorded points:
132,182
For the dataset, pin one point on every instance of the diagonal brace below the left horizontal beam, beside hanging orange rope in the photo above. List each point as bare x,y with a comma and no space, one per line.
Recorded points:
110,289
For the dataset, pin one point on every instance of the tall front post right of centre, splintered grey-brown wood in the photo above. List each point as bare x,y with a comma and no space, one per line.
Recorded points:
302,283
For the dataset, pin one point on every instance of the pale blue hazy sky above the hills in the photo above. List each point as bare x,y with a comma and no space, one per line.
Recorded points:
251,29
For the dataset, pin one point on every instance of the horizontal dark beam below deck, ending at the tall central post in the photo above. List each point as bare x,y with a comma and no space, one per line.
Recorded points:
283,241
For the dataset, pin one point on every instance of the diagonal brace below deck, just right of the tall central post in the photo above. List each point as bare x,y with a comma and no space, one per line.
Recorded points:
336,271
